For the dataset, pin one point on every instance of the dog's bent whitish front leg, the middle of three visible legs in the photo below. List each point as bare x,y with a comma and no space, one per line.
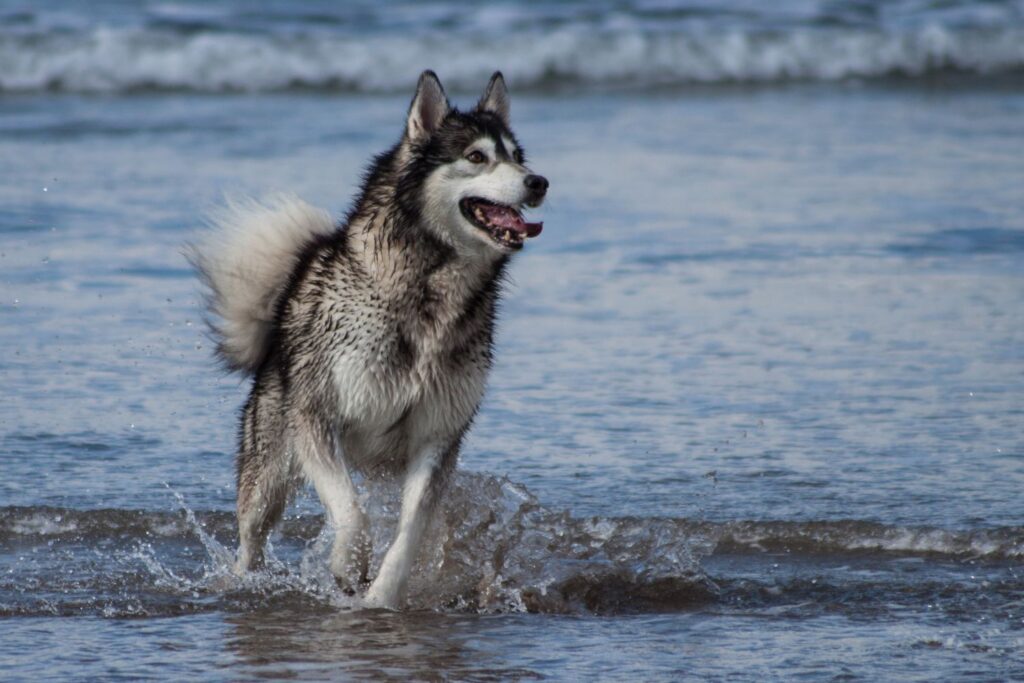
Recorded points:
324,466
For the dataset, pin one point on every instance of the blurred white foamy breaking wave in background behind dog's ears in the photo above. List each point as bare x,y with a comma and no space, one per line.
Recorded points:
118,60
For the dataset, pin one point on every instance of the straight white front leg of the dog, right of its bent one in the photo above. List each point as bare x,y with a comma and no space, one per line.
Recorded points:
424,482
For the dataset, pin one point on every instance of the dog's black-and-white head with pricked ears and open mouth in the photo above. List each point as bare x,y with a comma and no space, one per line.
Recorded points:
467,173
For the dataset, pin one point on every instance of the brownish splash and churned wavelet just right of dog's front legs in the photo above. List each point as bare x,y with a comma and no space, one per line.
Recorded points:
496,548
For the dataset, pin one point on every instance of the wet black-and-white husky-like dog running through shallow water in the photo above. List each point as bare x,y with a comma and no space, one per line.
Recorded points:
370,341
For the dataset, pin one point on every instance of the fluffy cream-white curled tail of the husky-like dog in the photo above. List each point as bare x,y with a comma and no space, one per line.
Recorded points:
246,261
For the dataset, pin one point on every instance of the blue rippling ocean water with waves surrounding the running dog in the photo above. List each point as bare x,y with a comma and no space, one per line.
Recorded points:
758,408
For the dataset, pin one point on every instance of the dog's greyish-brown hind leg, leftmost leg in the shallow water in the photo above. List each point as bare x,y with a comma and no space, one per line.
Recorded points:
265,474
